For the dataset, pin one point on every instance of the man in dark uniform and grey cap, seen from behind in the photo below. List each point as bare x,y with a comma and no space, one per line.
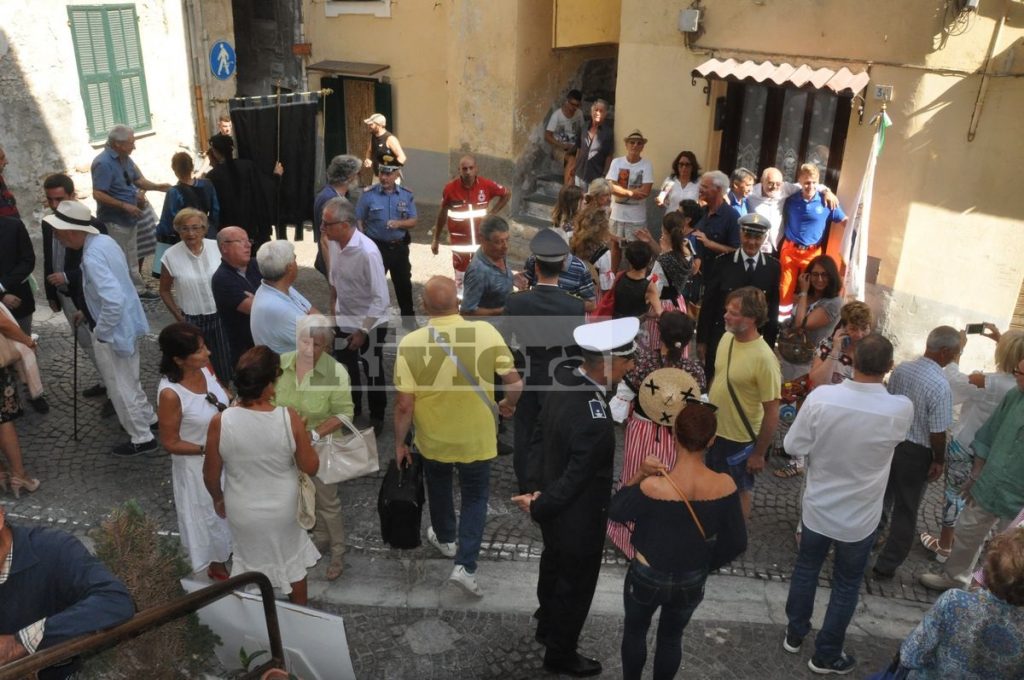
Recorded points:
541,321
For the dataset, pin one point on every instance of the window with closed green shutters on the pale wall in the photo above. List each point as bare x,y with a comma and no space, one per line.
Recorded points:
110,67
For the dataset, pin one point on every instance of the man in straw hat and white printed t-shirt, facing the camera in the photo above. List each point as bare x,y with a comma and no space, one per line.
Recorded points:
632,179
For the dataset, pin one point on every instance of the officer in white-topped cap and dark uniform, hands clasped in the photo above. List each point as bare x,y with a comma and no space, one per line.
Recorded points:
572,462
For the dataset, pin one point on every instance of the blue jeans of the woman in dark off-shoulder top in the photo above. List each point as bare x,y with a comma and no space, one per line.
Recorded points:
647,590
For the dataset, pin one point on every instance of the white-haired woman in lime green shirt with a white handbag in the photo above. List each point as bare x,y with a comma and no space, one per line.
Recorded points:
318,389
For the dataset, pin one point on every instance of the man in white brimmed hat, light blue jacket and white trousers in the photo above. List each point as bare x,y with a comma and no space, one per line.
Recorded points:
116,319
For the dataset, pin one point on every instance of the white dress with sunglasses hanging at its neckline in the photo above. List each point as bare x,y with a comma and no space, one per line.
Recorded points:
205,536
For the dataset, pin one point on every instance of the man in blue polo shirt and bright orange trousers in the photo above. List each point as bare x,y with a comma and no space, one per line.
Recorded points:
806,217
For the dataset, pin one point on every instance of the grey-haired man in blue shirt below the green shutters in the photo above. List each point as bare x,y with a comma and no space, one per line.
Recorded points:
121,205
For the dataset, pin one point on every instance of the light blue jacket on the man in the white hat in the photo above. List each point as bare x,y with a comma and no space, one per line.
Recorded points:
111,296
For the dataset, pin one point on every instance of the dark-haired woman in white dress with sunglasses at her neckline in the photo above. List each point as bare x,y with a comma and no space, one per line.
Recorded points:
189,397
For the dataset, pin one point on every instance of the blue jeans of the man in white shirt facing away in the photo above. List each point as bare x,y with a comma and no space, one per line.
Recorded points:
848,571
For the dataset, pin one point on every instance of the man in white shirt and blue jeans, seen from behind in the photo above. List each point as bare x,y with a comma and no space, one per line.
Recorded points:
849,432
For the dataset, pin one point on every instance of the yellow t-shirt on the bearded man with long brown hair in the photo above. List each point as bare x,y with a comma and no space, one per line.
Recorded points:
756,378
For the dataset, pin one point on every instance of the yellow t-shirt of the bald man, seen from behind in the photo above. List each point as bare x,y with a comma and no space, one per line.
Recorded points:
453,423
